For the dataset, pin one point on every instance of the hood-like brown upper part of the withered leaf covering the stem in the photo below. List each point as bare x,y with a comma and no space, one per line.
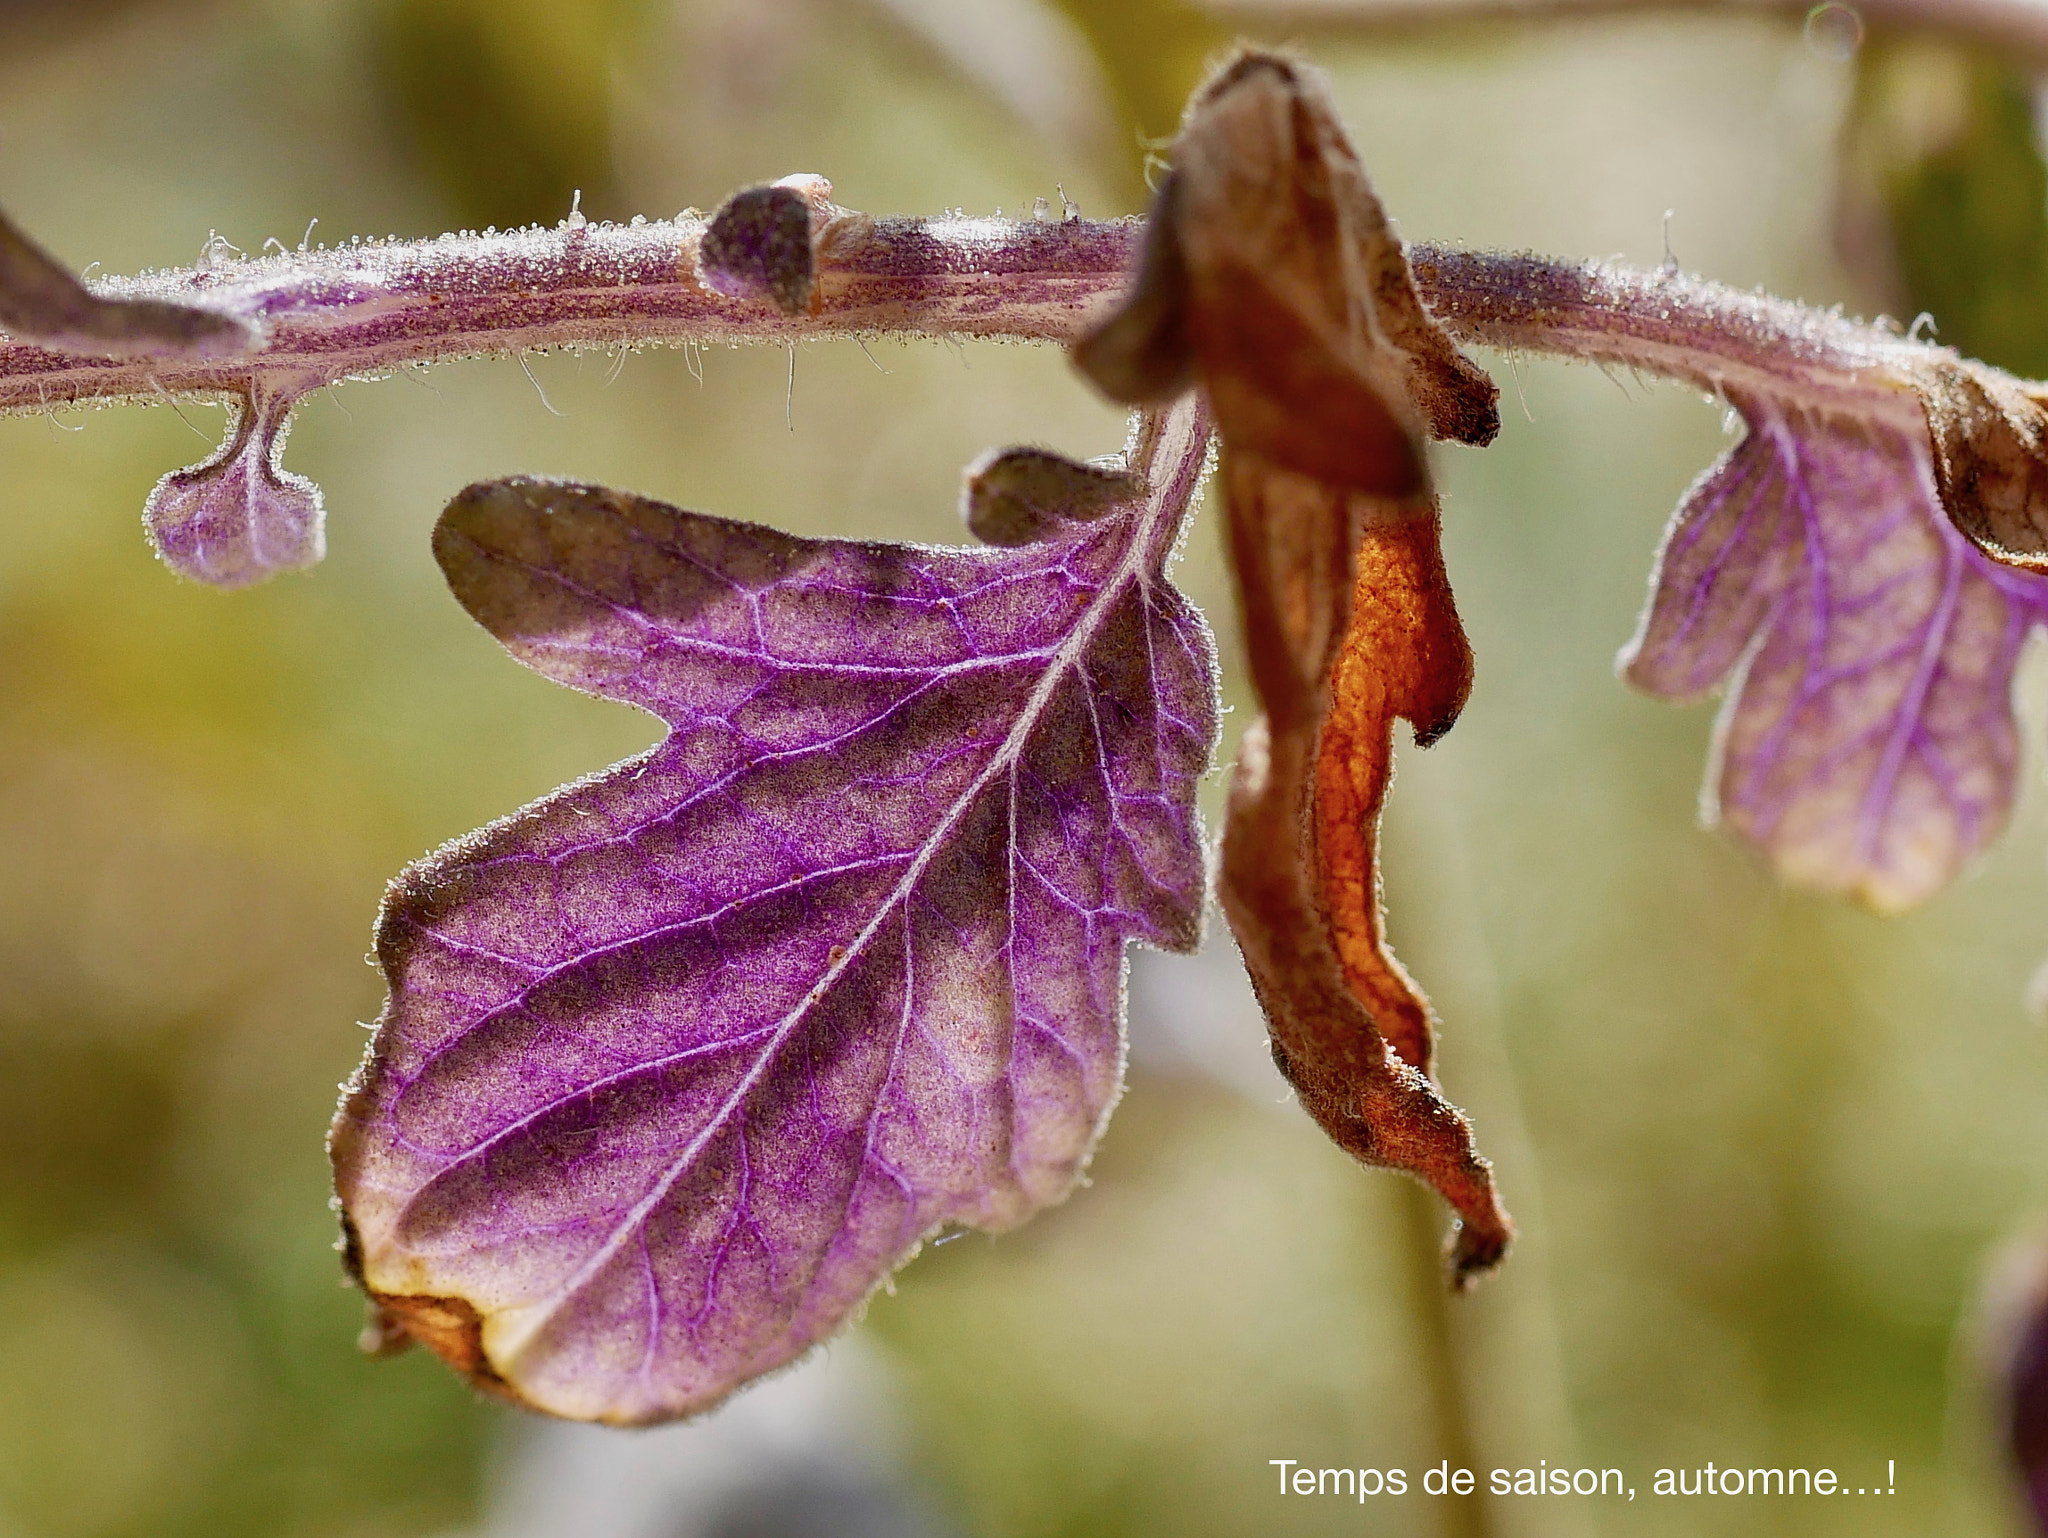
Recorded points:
1273,277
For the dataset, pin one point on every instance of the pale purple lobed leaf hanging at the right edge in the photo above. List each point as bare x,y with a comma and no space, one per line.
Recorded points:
1867,744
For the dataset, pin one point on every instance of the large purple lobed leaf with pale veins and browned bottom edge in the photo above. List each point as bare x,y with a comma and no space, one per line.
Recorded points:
681,1062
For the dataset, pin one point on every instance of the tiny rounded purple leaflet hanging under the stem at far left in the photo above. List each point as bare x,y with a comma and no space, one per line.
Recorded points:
241,517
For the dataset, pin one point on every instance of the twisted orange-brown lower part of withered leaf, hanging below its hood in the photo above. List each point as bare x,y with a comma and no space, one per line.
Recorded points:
1299,875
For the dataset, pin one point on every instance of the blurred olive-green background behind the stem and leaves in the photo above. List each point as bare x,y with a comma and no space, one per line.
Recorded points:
1762,1146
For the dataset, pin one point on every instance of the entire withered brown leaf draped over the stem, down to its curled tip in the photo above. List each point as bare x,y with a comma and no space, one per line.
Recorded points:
1273,280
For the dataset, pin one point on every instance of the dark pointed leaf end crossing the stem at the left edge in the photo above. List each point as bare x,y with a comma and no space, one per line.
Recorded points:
44,304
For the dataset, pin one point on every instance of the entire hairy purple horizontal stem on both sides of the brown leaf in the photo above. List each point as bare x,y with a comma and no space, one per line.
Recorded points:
374,308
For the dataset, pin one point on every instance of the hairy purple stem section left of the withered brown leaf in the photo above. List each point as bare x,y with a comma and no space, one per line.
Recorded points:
370,308
